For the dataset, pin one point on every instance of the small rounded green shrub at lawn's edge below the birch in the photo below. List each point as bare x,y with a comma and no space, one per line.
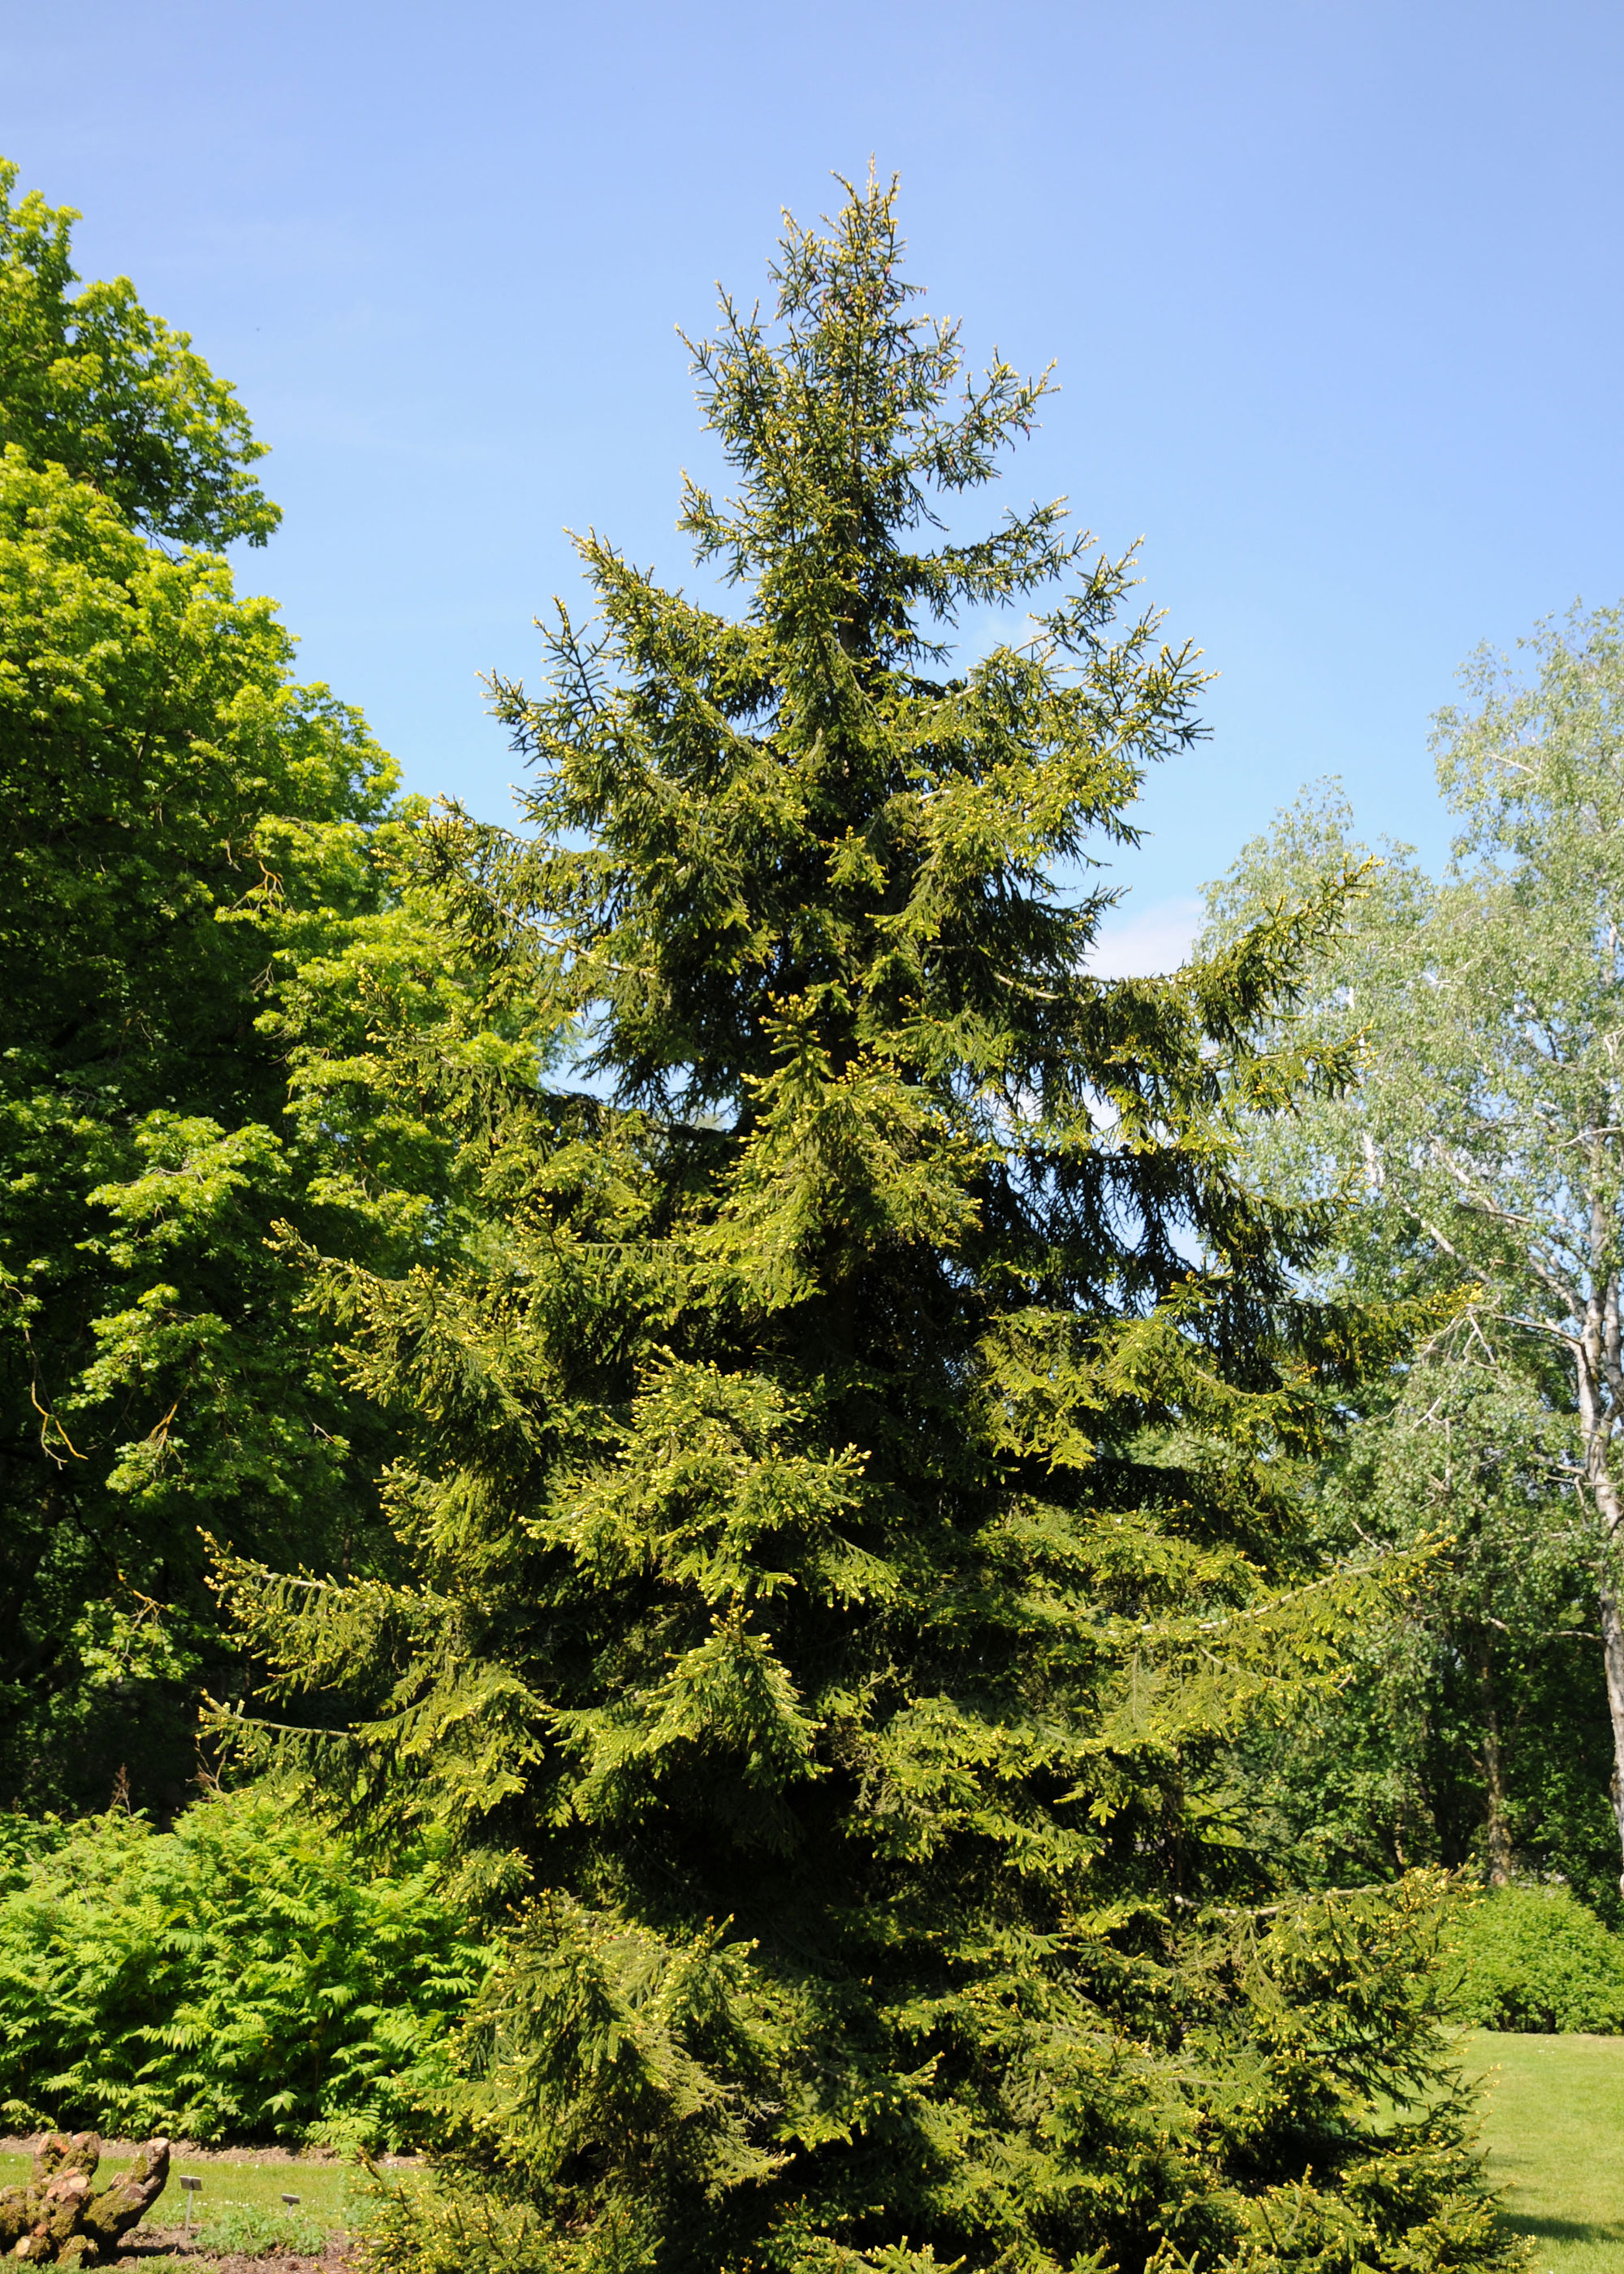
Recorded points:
1536,1959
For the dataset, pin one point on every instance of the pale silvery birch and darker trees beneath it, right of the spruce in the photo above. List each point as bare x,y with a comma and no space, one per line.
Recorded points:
1480,1154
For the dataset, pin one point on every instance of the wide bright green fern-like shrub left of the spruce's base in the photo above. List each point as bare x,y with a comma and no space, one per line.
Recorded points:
240,1977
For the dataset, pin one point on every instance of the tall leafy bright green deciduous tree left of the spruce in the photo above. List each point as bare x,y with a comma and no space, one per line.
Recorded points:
201,872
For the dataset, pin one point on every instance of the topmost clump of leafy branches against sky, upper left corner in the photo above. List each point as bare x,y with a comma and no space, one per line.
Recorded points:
97,385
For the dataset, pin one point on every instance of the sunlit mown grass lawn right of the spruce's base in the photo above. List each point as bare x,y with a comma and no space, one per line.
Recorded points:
1555,2130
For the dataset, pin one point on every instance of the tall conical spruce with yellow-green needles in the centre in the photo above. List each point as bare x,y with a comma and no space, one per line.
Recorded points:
852,1438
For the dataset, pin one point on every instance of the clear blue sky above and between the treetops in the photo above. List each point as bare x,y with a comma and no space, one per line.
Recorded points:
1334,294
